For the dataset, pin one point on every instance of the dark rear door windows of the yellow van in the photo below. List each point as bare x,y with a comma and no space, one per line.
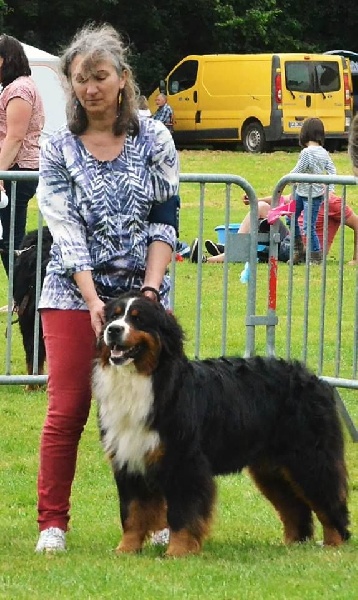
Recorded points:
312,77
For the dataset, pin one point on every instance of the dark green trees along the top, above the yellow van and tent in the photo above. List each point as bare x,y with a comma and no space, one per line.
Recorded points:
160,33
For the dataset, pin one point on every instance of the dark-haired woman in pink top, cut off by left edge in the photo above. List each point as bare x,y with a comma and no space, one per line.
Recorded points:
21,122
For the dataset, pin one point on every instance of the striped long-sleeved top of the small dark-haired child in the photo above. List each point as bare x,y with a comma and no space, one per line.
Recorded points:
316,161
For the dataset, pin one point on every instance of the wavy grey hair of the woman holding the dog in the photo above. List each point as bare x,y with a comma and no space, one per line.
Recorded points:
98,43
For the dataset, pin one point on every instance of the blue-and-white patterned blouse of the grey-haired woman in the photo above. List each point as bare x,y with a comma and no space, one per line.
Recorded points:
97,211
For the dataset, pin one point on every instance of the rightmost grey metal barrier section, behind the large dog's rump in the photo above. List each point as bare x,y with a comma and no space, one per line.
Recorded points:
337,294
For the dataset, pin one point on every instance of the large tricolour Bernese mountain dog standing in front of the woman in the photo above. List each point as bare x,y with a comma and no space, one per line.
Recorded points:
170,425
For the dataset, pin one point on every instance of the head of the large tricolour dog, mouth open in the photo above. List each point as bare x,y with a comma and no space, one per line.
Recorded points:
133,333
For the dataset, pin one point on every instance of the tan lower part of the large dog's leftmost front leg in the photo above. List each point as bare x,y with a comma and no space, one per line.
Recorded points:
143,518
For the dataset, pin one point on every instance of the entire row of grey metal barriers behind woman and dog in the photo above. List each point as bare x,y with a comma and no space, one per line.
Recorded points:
267,310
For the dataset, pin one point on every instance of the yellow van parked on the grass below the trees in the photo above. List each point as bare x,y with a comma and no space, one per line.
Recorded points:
257,99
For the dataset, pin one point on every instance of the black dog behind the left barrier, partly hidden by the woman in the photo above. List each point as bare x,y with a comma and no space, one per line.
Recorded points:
24,293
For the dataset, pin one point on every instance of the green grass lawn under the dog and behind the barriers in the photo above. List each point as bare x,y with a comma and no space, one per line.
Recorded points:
244,557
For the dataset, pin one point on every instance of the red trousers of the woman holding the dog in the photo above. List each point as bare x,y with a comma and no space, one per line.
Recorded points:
70,346
